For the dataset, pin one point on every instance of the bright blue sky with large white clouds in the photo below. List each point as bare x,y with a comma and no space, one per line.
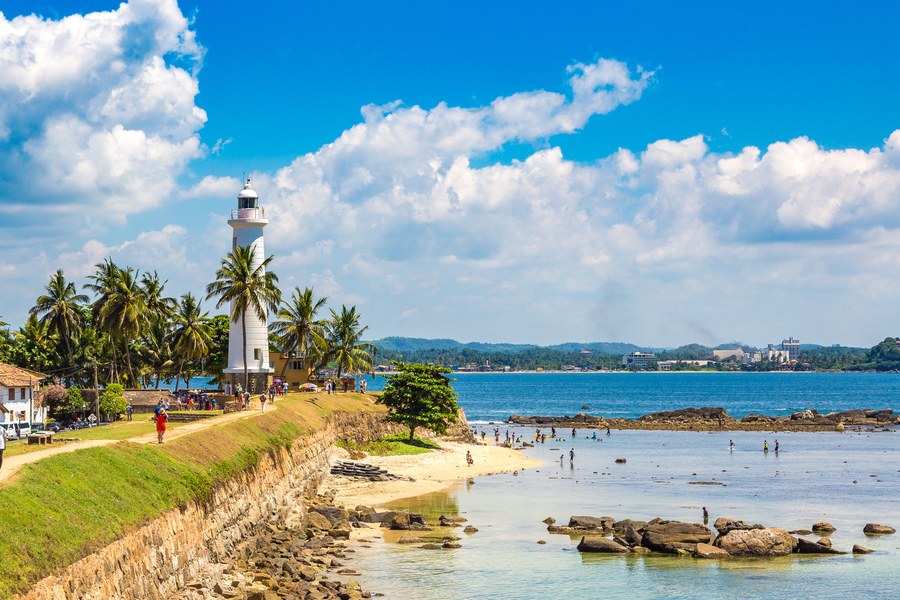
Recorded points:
722,172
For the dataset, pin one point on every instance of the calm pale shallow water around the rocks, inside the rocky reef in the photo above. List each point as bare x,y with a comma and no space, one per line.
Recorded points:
807,481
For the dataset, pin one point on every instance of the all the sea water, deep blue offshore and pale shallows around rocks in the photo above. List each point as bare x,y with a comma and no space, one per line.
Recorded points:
847,479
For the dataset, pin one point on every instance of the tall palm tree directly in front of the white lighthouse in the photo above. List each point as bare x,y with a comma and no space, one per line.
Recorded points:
248,288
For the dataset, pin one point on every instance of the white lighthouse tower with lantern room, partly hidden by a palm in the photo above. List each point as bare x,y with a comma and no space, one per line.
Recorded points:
247,223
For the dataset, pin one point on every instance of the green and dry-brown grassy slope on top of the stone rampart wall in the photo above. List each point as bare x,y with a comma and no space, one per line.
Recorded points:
59,509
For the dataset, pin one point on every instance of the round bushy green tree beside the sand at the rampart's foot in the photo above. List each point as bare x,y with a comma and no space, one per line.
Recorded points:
420,396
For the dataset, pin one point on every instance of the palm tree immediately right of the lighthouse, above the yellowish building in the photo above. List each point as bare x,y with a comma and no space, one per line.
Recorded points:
297,328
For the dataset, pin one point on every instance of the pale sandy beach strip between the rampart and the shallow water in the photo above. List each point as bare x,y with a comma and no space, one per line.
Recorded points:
432,472
